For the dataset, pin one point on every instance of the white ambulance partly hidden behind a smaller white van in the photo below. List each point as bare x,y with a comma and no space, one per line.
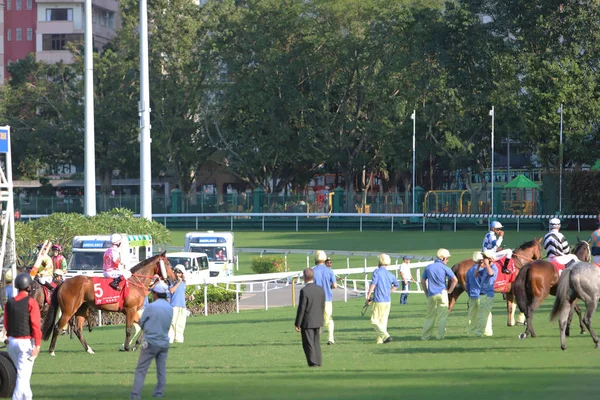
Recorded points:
218,246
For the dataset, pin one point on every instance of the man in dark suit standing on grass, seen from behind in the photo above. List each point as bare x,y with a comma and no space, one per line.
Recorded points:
309,318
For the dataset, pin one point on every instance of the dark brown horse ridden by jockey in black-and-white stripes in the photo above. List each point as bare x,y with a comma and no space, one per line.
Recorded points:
539,279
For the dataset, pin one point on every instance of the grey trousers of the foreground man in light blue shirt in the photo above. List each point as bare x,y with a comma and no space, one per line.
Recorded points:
146,356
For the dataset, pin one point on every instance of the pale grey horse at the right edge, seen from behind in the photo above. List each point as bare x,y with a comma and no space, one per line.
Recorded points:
581,281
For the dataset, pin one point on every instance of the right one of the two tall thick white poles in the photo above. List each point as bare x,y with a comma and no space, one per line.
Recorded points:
144,110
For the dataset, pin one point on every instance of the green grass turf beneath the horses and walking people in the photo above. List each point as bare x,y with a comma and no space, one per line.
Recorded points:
258,355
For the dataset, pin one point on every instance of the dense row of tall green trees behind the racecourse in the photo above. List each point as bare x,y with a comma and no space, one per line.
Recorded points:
277,91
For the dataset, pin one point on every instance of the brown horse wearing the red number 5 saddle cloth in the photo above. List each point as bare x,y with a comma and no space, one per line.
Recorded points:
76,295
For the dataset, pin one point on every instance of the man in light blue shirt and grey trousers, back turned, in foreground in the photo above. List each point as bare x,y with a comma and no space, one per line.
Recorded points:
155,322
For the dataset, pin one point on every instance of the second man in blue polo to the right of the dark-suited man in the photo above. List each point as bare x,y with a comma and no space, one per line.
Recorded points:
383,283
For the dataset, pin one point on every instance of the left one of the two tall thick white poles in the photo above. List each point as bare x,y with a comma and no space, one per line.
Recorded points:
89,191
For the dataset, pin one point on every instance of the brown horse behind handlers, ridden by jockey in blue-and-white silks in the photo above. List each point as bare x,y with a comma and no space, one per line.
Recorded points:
527,252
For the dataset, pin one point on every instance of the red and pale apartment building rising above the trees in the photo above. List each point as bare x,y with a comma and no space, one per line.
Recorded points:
46,27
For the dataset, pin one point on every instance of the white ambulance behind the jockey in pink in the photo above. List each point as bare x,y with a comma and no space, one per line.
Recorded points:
88,252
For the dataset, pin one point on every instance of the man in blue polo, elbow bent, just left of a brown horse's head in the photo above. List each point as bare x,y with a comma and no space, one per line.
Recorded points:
434,280
